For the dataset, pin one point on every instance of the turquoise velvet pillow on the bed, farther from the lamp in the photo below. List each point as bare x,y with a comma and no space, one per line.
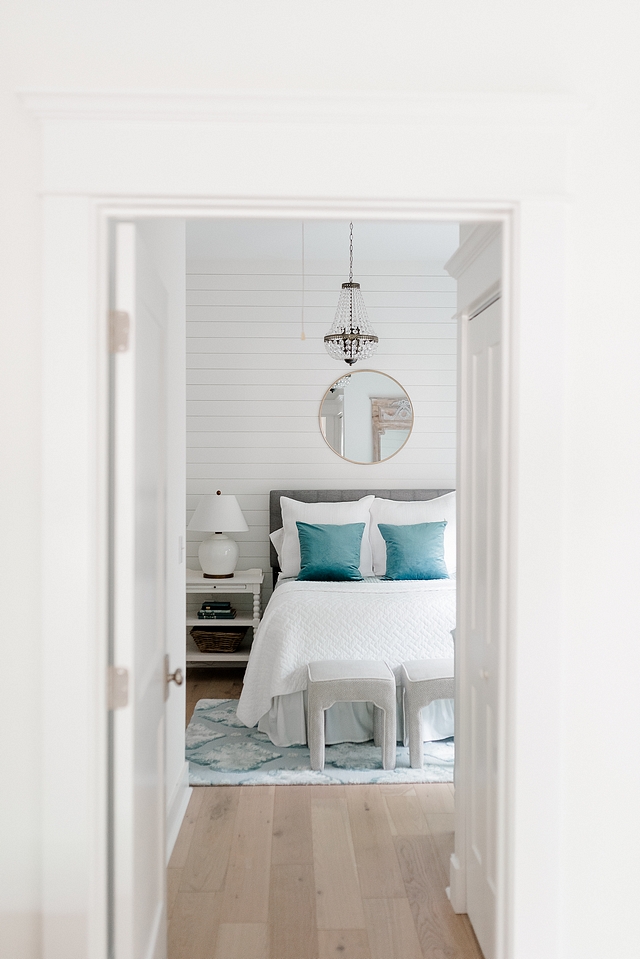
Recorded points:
415,552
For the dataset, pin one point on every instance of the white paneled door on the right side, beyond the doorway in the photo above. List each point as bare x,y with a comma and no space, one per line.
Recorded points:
481,621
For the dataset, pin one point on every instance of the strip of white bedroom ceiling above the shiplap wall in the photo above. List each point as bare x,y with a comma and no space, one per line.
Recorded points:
324,240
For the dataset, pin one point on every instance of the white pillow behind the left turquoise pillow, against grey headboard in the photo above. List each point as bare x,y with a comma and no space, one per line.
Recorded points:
338,514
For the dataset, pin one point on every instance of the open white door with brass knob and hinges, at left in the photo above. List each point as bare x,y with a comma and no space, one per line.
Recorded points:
138,926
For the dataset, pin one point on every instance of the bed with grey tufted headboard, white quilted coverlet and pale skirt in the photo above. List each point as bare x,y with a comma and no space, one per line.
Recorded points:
372,619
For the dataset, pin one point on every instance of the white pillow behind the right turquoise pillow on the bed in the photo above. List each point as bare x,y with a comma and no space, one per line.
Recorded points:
400,513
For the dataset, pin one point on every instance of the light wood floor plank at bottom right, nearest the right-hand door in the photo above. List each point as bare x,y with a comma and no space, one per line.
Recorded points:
440,931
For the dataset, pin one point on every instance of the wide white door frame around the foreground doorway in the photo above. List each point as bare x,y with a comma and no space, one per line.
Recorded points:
76,207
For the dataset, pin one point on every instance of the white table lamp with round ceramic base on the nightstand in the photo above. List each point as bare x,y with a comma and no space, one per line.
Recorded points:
218,554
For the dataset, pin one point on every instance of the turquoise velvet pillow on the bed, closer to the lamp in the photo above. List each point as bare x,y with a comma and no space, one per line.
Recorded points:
330,553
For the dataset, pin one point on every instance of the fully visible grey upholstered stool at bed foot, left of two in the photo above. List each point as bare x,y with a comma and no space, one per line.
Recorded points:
351,681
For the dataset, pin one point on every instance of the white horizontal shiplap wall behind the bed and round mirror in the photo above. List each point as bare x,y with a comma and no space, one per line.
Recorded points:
254,387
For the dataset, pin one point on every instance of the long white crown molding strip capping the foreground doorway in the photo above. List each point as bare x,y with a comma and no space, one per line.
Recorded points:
306,107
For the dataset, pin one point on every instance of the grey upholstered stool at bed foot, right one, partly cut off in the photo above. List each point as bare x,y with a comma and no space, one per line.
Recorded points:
423,680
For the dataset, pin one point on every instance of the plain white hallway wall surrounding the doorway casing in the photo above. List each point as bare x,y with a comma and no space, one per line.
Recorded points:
558,46
